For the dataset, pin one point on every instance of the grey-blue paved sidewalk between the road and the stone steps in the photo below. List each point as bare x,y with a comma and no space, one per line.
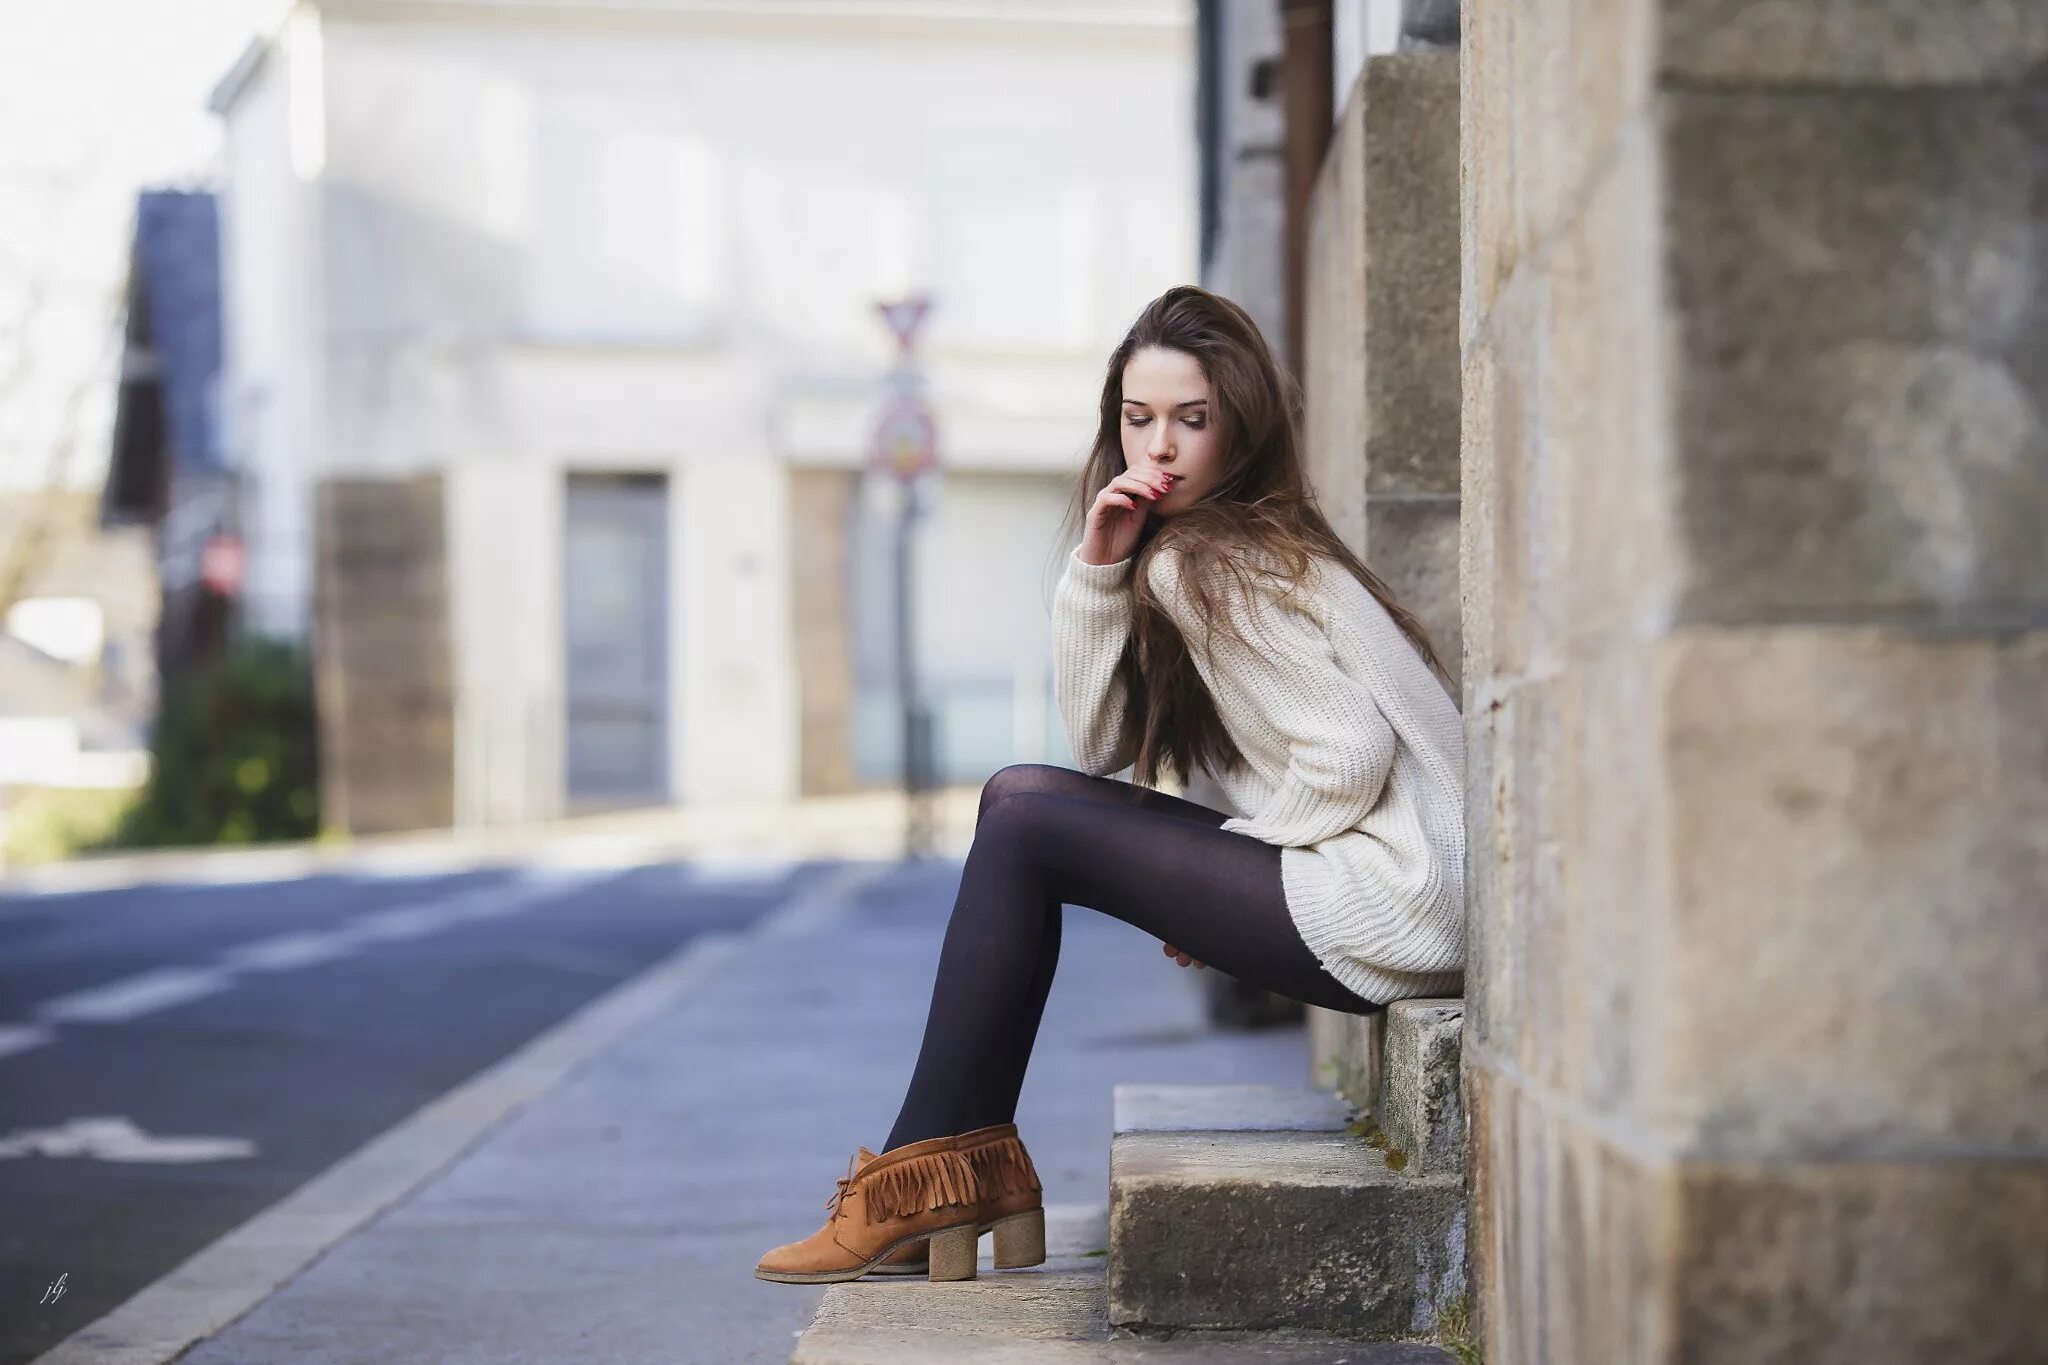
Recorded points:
617,1213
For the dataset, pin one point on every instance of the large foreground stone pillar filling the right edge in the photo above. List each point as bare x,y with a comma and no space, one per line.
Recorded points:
1756,570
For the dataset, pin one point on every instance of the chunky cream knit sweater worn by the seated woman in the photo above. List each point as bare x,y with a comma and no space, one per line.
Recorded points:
1357,758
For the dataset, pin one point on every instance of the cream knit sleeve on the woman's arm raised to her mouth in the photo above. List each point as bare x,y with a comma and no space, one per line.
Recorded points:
1091,627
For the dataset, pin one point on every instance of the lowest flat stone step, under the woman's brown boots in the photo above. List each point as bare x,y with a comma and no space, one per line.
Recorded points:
1046,1315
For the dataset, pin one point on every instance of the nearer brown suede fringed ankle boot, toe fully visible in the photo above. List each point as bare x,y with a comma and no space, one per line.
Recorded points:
916,1194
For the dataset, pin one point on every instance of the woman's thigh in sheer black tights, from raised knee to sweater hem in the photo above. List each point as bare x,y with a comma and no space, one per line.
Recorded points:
1211,893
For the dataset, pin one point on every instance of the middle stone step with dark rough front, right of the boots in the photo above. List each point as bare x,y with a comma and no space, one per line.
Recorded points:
1263,1208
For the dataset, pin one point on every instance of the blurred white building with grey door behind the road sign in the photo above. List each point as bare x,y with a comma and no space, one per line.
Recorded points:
554,359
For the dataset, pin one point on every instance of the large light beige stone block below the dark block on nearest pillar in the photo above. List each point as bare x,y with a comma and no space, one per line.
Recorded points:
1859,858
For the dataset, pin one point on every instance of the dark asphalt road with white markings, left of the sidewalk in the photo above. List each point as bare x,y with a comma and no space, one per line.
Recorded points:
177,1059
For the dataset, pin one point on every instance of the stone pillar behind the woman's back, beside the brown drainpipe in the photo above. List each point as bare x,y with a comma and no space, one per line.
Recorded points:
1381,423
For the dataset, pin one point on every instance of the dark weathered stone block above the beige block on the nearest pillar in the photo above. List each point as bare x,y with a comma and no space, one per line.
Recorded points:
1861,347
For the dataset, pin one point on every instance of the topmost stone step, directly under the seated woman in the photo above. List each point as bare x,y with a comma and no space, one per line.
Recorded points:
1402,1069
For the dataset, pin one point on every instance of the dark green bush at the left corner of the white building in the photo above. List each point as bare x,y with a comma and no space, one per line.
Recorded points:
232,756
